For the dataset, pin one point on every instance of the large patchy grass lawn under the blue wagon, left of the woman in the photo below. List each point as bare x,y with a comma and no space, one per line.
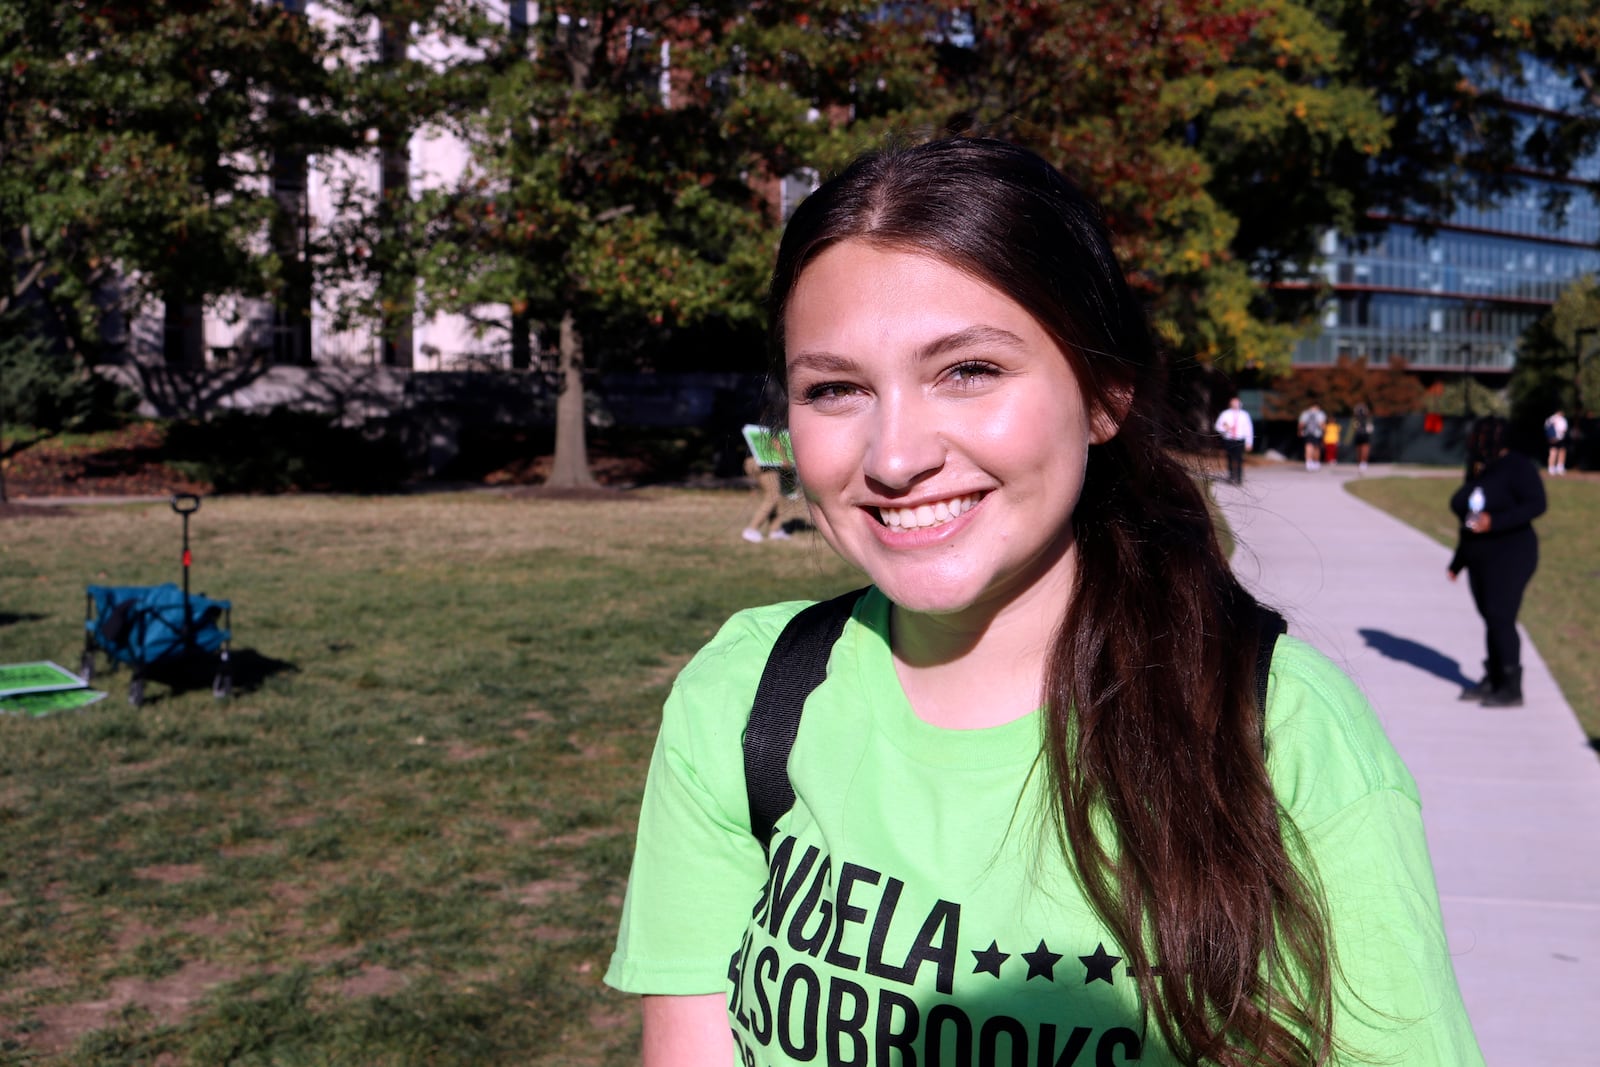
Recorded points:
406,839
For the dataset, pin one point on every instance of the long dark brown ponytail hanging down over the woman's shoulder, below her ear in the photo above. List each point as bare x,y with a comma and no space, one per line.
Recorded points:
1153,722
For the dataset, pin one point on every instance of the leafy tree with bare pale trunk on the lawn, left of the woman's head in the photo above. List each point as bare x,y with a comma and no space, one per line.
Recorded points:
625,158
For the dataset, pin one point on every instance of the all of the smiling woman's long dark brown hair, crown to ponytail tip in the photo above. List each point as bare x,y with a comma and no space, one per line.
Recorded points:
1150,685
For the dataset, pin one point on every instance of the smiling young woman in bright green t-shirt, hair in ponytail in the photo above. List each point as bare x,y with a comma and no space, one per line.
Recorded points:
1038,805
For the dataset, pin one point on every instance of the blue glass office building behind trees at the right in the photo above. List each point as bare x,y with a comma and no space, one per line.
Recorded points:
1460,300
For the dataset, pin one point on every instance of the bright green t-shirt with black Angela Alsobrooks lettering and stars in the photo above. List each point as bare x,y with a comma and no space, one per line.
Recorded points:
918,908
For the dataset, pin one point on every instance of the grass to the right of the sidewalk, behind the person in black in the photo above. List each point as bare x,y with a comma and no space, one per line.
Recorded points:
1562,609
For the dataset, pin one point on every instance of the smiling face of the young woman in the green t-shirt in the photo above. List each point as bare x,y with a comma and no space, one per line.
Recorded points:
942,431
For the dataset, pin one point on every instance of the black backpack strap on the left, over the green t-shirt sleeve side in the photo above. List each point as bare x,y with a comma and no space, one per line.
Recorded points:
796,666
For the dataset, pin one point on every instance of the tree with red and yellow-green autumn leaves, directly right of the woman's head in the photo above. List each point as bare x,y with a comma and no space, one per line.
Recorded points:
1164,110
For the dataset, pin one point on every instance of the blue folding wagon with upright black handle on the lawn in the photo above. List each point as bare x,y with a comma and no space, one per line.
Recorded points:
143,626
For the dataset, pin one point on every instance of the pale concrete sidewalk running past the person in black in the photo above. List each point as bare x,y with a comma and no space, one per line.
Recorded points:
1511,797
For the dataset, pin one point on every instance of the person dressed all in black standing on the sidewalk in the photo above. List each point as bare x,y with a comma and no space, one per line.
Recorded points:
1500,553
